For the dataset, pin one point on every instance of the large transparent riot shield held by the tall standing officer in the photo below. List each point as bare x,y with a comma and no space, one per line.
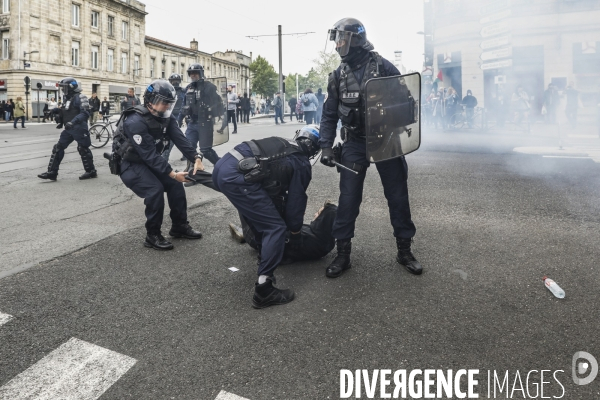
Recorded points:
393,124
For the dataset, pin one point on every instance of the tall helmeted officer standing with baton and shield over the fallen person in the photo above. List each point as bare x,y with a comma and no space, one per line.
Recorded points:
346,101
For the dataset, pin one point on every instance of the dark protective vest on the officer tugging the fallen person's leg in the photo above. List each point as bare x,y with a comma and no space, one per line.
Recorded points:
123,147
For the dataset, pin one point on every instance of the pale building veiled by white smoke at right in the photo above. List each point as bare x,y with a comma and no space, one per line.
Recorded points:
494,45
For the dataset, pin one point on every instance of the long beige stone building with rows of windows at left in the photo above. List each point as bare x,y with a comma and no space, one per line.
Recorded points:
101,43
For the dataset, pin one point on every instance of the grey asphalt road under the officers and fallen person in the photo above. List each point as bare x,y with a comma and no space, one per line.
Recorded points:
491,222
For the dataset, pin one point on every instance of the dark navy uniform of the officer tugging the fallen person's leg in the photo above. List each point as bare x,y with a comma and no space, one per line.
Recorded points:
139,141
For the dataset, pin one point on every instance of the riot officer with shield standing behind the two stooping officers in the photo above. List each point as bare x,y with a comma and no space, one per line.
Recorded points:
202,104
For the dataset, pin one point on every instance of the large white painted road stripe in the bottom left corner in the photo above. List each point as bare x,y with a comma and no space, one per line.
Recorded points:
76,370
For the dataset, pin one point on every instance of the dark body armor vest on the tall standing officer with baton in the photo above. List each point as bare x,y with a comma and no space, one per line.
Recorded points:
351,102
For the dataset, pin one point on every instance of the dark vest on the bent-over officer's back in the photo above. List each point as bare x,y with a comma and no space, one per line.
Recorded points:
273,152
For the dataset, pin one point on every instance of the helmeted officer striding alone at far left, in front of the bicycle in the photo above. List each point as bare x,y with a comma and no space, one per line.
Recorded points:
73,115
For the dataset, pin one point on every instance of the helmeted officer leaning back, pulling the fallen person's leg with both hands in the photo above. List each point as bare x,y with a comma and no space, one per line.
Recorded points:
142,135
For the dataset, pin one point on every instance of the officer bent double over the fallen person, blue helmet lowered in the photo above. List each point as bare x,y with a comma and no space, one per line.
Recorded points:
251,176
